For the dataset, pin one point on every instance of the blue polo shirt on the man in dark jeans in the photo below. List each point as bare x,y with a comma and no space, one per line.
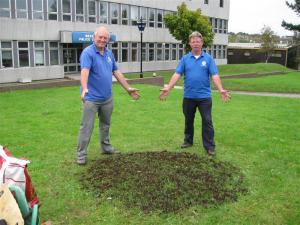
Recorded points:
197,73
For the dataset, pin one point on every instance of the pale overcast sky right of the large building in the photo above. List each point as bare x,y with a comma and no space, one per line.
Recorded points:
250,16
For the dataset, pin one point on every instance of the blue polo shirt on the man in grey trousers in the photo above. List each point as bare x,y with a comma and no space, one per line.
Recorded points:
100,77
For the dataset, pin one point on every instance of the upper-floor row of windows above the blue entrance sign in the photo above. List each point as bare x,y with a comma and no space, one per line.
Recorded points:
91,11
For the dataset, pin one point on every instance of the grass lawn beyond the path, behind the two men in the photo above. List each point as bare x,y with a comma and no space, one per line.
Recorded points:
288,82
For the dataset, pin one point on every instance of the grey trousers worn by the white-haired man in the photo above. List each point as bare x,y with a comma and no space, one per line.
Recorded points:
104,110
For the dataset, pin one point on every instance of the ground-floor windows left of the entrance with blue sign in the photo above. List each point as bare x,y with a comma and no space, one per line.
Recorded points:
32,53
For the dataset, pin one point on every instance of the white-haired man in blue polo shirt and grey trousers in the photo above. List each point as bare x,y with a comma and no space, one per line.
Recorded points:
98,65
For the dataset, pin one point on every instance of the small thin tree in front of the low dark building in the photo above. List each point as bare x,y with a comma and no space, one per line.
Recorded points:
268,40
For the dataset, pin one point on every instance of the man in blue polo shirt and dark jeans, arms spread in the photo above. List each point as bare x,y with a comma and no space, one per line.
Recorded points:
197,67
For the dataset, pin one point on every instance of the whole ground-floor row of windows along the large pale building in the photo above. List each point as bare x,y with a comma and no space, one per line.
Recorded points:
43,53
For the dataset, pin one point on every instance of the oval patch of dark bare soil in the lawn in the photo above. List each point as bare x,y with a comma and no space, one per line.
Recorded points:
164,181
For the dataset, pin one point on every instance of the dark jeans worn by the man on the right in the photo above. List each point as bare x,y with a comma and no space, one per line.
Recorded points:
204,106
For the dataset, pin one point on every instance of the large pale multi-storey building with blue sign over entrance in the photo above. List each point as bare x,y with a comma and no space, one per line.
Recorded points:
43,39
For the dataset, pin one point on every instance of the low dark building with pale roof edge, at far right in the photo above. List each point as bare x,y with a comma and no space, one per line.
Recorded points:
244,53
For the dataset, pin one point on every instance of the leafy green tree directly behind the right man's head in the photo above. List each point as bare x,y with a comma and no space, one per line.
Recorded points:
184,22
